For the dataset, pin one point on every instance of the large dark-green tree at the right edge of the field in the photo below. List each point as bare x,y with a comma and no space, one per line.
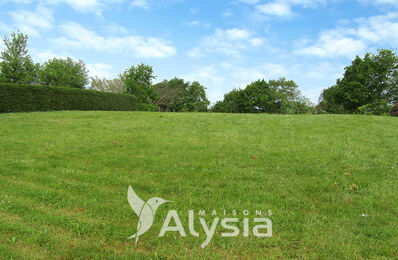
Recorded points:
371,81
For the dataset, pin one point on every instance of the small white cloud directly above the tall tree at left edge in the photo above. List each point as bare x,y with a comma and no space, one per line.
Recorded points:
30,22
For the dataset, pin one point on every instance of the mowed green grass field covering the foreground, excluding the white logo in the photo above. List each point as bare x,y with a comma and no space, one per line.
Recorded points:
331,182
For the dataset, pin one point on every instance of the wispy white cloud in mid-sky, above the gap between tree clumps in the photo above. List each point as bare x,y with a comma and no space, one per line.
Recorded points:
228,42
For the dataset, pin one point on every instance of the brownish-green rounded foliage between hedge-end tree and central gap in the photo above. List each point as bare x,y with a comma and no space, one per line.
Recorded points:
177,95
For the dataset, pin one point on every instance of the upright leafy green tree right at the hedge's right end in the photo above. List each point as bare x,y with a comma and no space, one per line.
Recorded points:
138,81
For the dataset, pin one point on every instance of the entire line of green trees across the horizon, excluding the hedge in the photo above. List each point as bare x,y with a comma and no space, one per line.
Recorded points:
369,85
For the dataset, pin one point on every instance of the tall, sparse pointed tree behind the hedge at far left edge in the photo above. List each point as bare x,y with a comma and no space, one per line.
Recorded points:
16,65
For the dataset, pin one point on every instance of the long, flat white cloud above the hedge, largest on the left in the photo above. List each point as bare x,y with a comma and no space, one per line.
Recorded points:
77,36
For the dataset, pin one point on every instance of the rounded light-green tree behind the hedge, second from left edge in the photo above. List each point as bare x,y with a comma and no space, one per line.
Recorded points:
64,72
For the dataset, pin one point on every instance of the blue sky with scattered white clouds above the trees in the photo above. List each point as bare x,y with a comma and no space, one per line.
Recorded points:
223,44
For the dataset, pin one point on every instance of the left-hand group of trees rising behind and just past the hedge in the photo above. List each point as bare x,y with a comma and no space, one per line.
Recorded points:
17,67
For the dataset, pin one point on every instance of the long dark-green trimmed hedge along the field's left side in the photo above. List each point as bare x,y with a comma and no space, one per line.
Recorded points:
25,98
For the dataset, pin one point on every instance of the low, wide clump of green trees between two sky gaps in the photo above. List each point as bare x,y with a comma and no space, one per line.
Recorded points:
274,96
